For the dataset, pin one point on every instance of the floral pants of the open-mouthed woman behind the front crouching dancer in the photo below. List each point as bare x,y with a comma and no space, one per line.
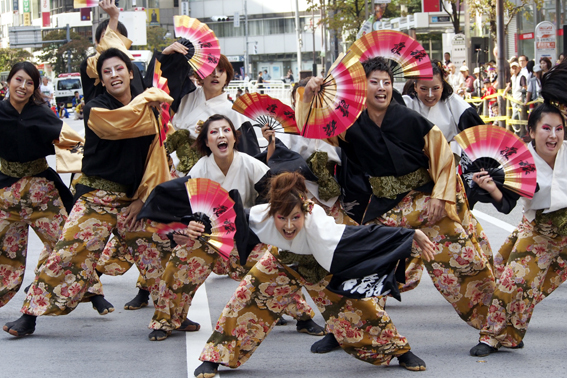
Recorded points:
188,268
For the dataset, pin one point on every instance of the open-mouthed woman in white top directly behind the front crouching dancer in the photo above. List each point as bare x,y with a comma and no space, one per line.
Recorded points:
191,263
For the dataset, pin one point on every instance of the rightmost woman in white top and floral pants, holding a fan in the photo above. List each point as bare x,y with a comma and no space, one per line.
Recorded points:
536,250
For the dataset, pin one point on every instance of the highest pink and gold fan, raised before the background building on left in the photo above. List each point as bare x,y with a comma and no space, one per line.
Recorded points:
203,45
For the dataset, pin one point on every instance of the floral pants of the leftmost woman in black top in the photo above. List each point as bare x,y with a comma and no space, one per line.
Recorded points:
35,202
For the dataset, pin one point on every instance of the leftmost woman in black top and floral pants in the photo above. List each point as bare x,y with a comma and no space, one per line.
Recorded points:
31,193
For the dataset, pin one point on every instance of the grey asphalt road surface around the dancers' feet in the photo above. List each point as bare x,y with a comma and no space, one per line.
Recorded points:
85,344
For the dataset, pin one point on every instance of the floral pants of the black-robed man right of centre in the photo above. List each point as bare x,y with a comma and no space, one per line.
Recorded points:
461,271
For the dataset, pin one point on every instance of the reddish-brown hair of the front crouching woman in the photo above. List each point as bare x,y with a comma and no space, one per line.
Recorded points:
287,190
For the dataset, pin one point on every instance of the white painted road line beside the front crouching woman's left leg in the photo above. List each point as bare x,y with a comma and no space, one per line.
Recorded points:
195,341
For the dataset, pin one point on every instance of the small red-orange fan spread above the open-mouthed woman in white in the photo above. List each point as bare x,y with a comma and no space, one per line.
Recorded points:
266,110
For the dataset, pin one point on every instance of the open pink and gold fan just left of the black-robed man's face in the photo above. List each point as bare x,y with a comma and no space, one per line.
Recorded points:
340,101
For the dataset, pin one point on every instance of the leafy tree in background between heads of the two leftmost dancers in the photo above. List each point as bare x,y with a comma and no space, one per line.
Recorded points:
56,53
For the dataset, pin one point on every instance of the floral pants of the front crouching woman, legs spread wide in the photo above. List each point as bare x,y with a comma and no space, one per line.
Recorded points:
362,328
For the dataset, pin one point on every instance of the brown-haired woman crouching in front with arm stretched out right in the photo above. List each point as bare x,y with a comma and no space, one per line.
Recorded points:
307,244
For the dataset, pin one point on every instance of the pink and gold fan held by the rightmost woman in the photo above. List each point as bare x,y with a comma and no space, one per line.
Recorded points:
502,154
